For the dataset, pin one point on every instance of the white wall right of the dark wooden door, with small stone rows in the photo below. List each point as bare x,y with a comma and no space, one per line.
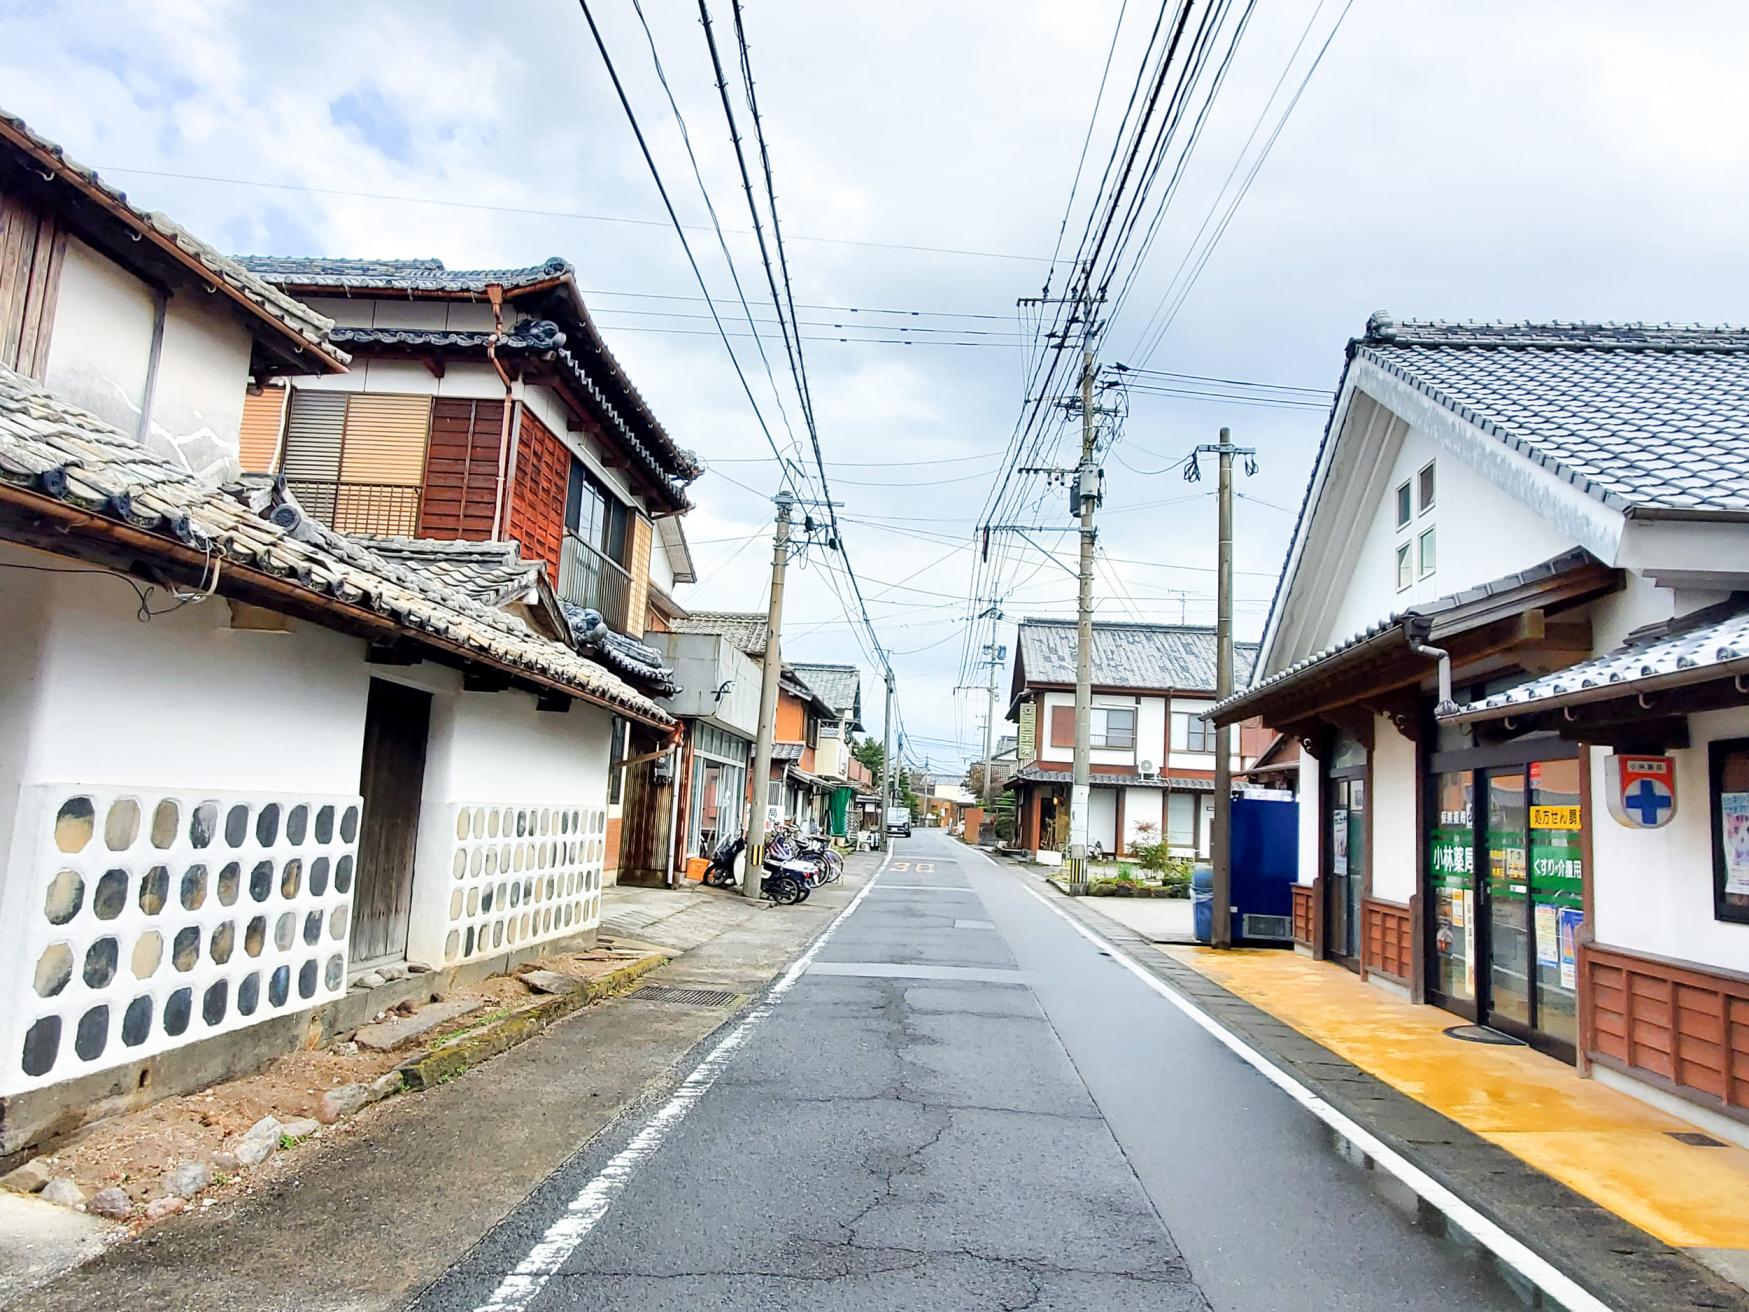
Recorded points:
499,757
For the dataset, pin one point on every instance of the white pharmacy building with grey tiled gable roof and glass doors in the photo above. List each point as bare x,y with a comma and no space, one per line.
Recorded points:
1510,639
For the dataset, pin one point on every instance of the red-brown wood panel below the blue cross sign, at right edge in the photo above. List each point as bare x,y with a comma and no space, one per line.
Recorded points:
1676,1021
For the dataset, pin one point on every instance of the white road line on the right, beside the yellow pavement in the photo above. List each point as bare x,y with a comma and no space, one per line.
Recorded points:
1538,1271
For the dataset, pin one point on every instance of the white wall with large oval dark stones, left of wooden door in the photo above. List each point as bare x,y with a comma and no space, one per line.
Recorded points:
134,921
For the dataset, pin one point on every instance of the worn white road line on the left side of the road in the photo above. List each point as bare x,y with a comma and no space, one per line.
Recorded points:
583,1213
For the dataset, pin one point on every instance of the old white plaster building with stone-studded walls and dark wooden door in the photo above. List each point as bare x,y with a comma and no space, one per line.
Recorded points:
251,764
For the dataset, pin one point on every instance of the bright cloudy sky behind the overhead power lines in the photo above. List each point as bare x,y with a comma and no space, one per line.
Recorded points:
1573,160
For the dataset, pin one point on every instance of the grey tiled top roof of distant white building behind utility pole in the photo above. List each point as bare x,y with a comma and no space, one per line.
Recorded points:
1178,657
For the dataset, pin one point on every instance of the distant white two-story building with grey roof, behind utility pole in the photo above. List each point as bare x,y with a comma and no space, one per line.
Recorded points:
1152,751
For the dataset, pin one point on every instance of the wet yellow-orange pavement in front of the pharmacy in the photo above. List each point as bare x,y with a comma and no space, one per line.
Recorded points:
1608,1147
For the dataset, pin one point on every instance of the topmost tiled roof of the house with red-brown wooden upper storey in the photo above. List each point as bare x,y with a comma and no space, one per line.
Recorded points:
429,277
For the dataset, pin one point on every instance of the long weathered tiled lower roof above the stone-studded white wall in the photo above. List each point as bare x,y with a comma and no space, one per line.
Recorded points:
64,454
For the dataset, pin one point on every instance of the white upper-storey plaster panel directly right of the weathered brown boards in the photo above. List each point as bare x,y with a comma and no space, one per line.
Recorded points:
101,351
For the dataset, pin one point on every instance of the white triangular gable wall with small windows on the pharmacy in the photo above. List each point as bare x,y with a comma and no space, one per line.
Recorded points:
1484,533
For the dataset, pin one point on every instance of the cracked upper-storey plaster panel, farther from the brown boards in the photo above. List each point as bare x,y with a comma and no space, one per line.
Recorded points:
202,379
